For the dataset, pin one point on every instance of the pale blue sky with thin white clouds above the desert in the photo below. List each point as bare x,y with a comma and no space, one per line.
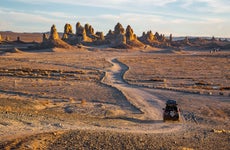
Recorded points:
176,17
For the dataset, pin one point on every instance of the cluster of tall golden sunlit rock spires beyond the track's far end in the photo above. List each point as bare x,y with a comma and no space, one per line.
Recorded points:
119,38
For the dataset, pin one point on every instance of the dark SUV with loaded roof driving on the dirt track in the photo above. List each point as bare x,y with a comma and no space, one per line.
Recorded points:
171,111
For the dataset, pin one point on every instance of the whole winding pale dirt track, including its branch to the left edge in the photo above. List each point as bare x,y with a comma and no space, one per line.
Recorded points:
148,120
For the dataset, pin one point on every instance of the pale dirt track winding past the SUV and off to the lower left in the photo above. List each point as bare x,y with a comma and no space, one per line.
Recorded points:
149,121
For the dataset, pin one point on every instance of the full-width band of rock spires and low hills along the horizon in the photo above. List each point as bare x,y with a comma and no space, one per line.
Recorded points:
119,37
